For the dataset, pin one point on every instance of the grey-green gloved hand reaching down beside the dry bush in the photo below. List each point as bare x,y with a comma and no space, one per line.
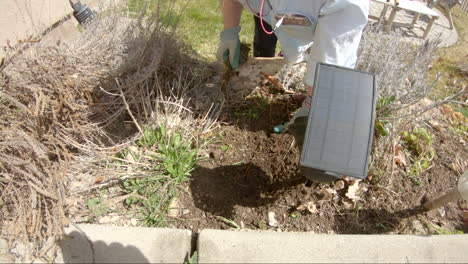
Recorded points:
229,47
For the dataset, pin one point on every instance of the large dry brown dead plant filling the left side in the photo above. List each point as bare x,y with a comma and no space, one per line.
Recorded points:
64,102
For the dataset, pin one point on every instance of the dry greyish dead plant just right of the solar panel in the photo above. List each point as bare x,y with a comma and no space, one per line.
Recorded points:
401,70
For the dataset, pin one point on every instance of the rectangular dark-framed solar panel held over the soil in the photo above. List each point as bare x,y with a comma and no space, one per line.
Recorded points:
340,125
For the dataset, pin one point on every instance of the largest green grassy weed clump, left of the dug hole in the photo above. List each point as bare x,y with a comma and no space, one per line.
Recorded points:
173,159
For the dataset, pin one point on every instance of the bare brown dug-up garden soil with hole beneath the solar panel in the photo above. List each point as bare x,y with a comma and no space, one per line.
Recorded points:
249,179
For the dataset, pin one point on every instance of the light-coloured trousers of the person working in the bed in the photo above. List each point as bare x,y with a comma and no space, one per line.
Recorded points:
334,39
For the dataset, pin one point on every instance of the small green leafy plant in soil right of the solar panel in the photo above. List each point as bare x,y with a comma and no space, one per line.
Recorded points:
418,143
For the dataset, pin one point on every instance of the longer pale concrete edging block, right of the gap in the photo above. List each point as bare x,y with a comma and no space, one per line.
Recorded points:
217,246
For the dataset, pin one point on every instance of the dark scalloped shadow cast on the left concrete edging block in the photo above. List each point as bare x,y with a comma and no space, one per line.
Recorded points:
77,248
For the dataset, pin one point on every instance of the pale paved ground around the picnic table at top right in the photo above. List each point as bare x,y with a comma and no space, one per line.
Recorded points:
441,27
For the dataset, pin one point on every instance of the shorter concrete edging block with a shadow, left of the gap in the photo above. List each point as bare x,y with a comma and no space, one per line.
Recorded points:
111,244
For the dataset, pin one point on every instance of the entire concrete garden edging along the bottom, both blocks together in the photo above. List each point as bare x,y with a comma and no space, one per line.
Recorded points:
109,244
